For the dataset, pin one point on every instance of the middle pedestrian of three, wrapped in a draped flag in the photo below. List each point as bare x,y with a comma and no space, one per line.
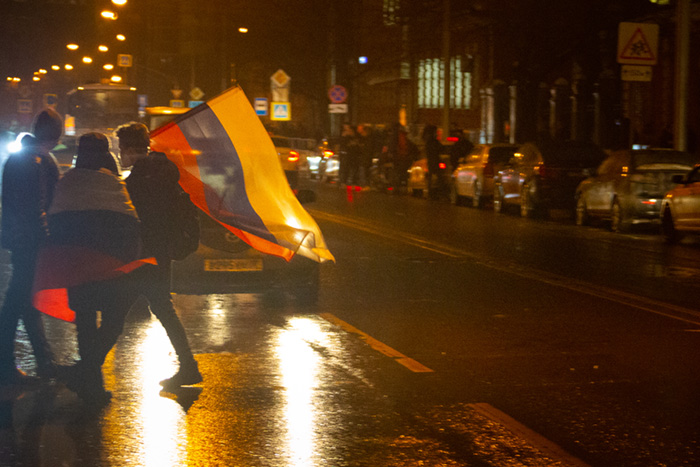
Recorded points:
92,217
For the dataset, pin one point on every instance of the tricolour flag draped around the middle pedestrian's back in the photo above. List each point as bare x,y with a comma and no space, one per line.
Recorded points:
94,237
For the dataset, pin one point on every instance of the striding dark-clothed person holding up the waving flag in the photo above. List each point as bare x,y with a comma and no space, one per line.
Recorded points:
152,185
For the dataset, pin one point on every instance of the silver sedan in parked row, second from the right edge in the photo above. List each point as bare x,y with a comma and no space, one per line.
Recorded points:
629,186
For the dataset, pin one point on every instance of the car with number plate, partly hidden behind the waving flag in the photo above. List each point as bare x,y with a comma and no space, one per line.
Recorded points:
226,264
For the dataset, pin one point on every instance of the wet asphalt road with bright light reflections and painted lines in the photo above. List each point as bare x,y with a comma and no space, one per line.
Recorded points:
442,336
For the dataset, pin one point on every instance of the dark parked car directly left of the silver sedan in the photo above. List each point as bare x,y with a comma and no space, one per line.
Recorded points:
545,175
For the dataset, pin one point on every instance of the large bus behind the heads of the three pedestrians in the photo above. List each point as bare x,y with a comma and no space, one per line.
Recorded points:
99,107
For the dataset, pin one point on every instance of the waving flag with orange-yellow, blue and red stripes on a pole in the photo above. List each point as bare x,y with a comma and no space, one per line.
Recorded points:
230,168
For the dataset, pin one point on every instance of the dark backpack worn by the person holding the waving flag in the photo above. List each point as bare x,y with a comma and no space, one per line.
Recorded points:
184,226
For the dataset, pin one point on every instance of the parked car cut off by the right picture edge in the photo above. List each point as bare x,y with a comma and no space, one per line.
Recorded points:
680,209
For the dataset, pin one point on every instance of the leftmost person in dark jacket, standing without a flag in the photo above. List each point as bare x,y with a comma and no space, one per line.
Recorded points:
28,182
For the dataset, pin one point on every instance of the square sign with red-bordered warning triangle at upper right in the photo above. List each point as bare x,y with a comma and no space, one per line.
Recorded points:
637,43
